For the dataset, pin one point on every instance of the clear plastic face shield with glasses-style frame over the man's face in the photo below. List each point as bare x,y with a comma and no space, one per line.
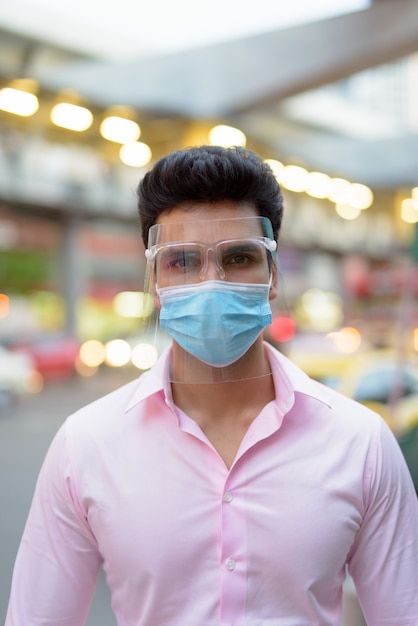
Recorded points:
211,283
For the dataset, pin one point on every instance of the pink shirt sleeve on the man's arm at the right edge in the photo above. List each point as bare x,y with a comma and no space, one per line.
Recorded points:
384,558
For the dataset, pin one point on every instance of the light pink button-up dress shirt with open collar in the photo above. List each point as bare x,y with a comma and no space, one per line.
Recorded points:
318,486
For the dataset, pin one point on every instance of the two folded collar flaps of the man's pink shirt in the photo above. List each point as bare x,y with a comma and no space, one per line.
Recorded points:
286,375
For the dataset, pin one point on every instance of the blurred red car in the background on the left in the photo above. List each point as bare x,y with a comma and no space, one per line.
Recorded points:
54,355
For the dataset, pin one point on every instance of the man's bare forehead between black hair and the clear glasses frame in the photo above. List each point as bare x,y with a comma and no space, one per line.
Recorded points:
209,222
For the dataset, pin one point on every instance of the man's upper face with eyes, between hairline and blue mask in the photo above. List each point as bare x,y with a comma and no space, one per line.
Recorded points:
221,241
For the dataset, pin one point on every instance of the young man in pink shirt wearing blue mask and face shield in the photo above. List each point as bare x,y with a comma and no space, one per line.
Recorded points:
224,487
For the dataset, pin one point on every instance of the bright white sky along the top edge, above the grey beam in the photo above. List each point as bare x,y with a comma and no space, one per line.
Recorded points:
129,29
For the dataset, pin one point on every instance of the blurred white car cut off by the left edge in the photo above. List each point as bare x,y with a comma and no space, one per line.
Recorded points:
18,376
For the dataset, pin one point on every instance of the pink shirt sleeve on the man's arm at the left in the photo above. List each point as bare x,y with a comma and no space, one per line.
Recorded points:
58,560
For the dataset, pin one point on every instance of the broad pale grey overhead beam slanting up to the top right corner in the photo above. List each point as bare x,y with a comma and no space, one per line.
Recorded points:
242,75
